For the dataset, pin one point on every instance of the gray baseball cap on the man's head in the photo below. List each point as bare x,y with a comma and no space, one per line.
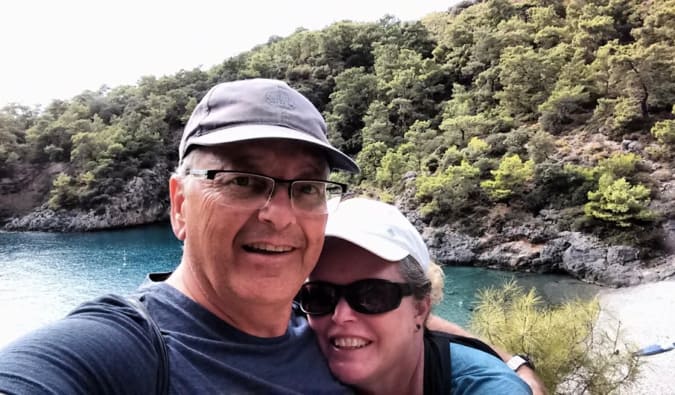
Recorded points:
259,109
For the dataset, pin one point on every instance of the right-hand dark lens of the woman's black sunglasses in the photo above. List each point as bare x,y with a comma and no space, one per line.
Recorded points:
373,296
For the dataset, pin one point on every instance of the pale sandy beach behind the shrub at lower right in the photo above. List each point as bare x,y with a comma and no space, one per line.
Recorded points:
647,316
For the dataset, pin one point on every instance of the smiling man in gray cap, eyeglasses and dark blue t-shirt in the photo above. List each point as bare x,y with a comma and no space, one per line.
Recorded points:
249,200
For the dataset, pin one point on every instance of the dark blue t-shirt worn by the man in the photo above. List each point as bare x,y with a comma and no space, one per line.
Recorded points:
105,347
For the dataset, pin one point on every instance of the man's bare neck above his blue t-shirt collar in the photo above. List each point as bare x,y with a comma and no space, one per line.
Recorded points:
256,319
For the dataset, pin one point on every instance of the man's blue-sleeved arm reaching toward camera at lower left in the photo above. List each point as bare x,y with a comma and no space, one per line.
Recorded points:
99,348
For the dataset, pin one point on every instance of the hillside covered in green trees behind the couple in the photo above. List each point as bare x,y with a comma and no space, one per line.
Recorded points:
487,113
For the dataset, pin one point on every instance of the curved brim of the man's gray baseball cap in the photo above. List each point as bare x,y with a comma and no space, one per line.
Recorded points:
231,134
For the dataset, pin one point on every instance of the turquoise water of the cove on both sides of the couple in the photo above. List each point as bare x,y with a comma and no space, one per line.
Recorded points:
45,275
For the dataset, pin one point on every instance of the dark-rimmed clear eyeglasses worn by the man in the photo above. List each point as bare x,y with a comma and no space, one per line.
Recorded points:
254,191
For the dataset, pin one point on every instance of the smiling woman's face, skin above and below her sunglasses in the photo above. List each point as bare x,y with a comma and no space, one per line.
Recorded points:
366,350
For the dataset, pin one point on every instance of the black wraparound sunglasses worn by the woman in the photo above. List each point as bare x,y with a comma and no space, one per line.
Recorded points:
369,296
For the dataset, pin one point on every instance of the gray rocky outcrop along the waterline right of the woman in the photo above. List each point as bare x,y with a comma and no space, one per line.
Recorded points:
582,256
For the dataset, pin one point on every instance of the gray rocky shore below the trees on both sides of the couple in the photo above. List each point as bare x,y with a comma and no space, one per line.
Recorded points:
508,239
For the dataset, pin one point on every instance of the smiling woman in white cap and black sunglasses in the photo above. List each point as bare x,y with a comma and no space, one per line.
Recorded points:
368,299
